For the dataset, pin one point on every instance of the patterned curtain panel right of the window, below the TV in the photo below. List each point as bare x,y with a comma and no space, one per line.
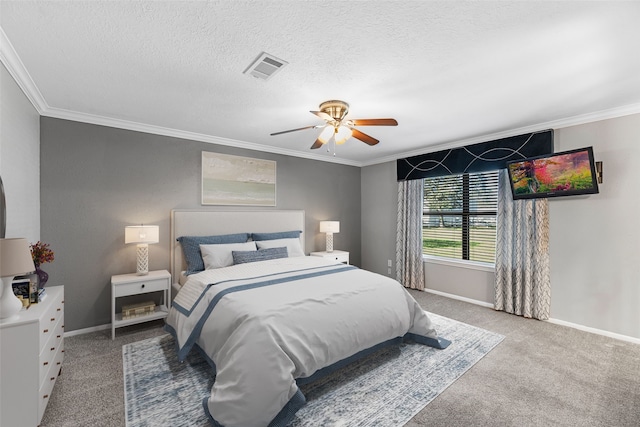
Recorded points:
523,284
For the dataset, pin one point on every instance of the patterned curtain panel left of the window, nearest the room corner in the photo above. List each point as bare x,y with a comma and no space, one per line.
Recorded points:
409,270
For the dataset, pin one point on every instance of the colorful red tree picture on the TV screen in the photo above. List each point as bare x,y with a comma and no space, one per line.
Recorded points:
566,172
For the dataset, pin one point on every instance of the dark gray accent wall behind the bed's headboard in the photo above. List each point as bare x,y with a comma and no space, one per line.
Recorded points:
96,180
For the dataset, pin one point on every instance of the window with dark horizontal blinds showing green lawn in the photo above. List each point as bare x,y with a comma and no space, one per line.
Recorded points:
459,216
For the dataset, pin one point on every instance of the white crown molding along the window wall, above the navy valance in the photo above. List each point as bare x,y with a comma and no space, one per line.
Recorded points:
581,119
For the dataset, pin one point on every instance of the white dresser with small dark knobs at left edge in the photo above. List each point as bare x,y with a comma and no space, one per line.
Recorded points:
31,355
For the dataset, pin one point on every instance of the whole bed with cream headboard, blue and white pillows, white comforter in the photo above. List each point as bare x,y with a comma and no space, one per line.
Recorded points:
270,319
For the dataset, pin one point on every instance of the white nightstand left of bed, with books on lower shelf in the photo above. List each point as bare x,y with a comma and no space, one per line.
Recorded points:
124,285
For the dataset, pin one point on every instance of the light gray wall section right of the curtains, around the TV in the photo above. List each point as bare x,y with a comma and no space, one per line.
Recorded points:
595,240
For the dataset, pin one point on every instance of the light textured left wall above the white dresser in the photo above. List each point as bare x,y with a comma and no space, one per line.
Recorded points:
19,159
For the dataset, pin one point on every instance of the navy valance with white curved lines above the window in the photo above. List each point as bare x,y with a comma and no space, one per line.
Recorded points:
481,157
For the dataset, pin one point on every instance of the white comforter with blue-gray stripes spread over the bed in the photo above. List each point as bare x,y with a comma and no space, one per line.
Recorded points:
265,324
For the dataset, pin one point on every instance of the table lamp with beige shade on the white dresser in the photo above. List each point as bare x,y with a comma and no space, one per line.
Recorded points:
15,259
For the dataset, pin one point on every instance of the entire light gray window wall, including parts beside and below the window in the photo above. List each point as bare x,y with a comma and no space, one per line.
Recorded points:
594,240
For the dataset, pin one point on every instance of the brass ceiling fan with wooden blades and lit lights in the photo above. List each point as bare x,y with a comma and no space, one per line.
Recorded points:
337,126
